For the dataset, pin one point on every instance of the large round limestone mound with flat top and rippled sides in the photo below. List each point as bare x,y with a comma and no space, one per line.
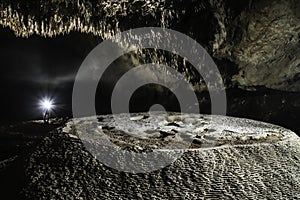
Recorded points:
234,159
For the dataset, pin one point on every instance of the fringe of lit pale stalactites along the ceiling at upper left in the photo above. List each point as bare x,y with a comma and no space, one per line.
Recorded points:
60,17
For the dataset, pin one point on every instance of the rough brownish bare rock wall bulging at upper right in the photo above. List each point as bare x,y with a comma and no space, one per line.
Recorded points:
263,40
